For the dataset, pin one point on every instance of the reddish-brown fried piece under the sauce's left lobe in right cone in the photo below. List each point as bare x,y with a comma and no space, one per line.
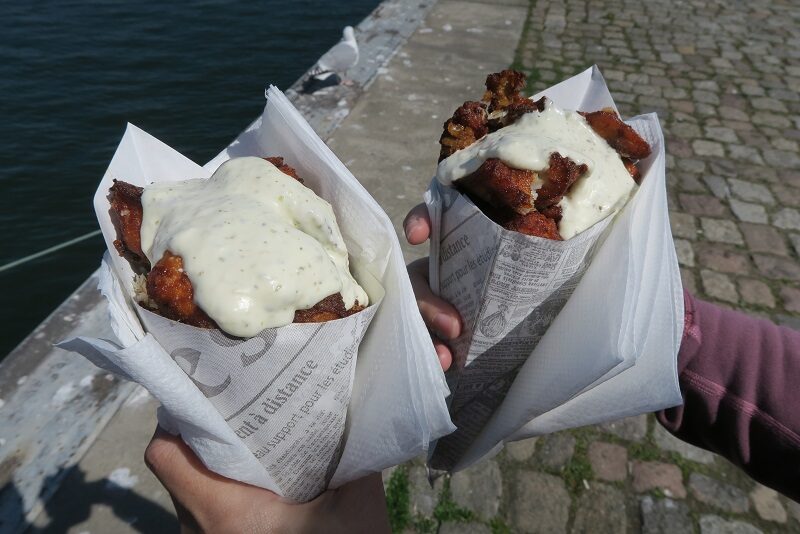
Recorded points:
500,186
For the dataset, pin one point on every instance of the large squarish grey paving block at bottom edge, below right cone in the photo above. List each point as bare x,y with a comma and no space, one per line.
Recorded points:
540,504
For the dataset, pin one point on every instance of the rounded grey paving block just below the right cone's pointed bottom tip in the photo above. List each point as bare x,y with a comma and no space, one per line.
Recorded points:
478,488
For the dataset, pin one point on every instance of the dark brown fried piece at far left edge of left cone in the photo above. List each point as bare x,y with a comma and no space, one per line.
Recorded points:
126,215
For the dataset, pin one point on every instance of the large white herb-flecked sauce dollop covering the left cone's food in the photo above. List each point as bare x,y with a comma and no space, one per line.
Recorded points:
256,244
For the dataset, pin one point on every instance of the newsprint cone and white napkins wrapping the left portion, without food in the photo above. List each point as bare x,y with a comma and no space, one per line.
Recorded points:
291,409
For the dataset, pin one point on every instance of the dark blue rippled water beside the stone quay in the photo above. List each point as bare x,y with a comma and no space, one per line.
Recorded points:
191,73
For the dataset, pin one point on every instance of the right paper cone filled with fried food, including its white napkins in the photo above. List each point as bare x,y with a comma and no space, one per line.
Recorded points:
558,333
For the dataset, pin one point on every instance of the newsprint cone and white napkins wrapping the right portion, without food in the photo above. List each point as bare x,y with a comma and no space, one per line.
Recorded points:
509,289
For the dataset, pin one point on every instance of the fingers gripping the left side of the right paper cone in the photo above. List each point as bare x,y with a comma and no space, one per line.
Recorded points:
440,316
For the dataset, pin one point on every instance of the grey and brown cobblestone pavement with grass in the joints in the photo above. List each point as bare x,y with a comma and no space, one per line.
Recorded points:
724,79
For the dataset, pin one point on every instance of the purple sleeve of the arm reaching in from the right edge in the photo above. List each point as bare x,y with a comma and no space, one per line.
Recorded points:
740,380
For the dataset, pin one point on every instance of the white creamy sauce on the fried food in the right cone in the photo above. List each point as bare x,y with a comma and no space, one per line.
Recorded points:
528,143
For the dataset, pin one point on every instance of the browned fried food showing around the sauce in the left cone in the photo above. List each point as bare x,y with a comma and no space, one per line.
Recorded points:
169,290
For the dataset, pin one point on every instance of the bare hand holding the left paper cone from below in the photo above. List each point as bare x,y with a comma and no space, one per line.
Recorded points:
207,502
